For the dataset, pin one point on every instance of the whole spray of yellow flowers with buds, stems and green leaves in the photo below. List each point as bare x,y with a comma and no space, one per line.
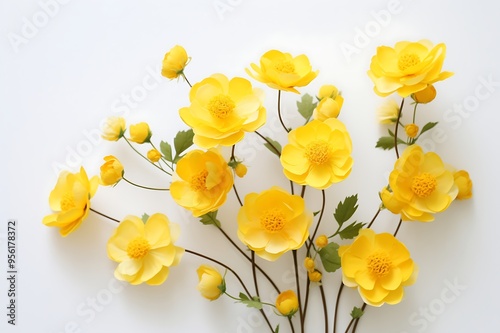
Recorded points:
278,221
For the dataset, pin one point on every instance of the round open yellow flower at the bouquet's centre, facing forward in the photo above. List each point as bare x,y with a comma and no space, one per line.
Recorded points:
273,222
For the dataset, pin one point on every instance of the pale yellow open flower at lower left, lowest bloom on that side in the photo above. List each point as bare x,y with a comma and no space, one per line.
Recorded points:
144,251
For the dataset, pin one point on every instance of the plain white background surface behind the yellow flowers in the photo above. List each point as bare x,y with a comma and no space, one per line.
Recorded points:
67,67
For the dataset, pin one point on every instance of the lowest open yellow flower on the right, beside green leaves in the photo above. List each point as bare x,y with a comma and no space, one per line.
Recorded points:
379,266
